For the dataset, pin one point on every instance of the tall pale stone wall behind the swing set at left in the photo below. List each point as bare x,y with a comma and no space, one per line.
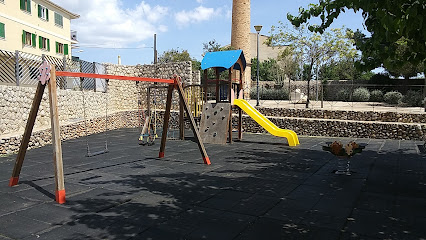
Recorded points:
121,98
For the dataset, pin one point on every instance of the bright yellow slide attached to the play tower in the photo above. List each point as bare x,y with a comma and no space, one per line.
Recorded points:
291,136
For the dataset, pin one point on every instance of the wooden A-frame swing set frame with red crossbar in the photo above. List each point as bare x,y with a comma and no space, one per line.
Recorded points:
48,76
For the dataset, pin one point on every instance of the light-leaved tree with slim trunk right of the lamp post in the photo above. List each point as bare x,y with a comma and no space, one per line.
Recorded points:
312,49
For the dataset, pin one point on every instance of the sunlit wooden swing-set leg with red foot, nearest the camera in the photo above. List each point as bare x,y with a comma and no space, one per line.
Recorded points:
56,139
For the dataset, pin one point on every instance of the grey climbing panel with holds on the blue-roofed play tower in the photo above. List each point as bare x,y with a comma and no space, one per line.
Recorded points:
215,123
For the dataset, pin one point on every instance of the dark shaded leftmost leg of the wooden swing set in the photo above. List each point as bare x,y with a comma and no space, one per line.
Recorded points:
27,134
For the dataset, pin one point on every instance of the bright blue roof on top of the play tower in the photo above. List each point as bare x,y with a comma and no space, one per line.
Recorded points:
224,60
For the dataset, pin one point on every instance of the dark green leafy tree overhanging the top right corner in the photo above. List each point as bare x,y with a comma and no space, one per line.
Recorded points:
388,21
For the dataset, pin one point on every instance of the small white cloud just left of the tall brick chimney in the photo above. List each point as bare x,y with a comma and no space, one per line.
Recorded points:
198,14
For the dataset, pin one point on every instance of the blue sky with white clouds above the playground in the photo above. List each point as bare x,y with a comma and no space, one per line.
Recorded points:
109,28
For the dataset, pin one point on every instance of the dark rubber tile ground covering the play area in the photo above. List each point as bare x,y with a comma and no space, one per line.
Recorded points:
258,188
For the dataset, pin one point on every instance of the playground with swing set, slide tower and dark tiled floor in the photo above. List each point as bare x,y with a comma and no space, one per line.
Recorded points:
212,182
